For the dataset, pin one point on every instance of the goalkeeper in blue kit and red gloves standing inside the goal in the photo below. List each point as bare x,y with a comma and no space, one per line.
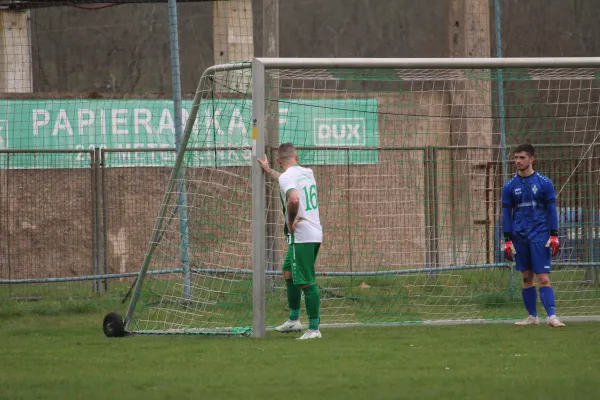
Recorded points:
530,225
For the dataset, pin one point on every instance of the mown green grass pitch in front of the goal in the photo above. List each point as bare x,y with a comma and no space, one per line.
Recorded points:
68,357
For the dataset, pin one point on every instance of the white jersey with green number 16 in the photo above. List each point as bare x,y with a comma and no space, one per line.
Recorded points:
302,179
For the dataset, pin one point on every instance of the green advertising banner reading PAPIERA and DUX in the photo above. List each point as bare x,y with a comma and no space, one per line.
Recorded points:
149,124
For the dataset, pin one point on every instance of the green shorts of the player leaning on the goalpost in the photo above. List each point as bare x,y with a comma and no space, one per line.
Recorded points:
300,260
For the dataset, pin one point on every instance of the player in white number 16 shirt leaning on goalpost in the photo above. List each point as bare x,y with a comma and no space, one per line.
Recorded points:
298,190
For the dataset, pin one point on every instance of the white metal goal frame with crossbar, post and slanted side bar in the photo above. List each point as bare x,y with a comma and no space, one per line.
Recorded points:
259,67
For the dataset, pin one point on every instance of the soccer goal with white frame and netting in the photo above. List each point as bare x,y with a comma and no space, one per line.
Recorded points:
409,156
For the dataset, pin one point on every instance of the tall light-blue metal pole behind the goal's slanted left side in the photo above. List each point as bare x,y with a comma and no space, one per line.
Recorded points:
181,188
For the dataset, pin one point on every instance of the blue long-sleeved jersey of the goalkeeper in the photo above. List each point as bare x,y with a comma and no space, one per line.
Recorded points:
529,208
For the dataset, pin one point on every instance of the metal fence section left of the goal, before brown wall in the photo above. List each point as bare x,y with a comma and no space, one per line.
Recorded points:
69,223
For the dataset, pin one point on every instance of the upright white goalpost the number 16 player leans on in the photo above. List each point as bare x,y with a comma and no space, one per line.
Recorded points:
258,200
